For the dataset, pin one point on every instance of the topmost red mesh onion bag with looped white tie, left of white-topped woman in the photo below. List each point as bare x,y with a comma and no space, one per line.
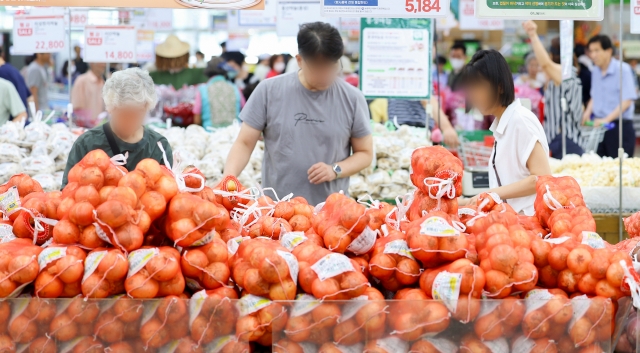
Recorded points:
437,172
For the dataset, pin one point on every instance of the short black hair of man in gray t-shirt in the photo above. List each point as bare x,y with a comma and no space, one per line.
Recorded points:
320,39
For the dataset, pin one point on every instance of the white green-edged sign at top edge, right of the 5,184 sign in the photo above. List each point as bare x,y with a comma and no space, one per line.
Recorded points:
587,10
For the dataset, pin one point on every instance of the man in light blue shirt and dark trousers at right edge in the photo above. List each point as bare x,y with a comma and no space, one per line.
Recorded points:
605,97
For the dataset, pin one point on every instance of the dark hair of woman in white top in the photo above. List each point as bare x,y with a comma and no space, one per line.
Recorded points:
490,65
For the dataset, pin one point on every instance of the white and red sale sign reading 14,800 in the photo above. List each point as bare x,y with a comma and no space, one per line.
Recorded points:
113,44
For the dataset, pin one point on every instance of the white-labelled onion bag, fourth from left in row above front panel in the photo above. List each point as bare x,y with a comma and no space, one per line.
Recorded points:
154,272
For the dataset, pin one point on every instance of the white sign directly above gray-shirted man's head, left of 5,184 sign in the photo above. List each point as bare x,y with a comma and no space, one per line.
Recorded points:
291,14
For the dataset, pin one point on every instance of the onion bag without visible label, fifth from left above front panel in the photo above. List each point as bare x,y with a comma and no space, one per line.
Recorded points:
206,267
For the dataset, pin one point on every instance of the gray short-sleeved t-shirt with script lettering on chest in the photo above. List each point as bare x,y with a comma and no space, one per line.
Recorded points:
302,128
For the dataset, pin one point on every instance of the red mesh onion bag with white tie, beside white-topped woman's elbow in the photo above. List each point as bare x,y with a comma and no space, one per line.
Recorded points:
555,193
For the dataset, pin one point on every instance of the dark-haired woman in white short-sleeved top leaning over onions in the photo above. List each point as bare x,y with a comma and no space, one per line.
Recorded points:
521,152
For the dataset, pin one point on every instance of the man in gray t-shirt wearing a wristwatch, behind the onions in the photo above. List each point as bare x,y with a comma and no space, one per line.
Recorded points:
315,125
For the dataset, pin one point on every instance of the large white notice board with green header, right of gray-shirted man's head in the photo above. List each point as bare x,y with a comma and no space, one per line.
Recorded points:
395,58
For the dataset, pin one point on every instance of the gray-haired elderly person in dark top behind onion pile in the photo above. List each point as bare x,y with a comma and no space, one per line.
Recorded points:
128,96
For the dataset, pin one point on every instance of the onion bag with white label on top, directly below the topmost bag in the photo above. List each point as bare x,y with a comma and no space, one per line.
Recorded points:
438,238
